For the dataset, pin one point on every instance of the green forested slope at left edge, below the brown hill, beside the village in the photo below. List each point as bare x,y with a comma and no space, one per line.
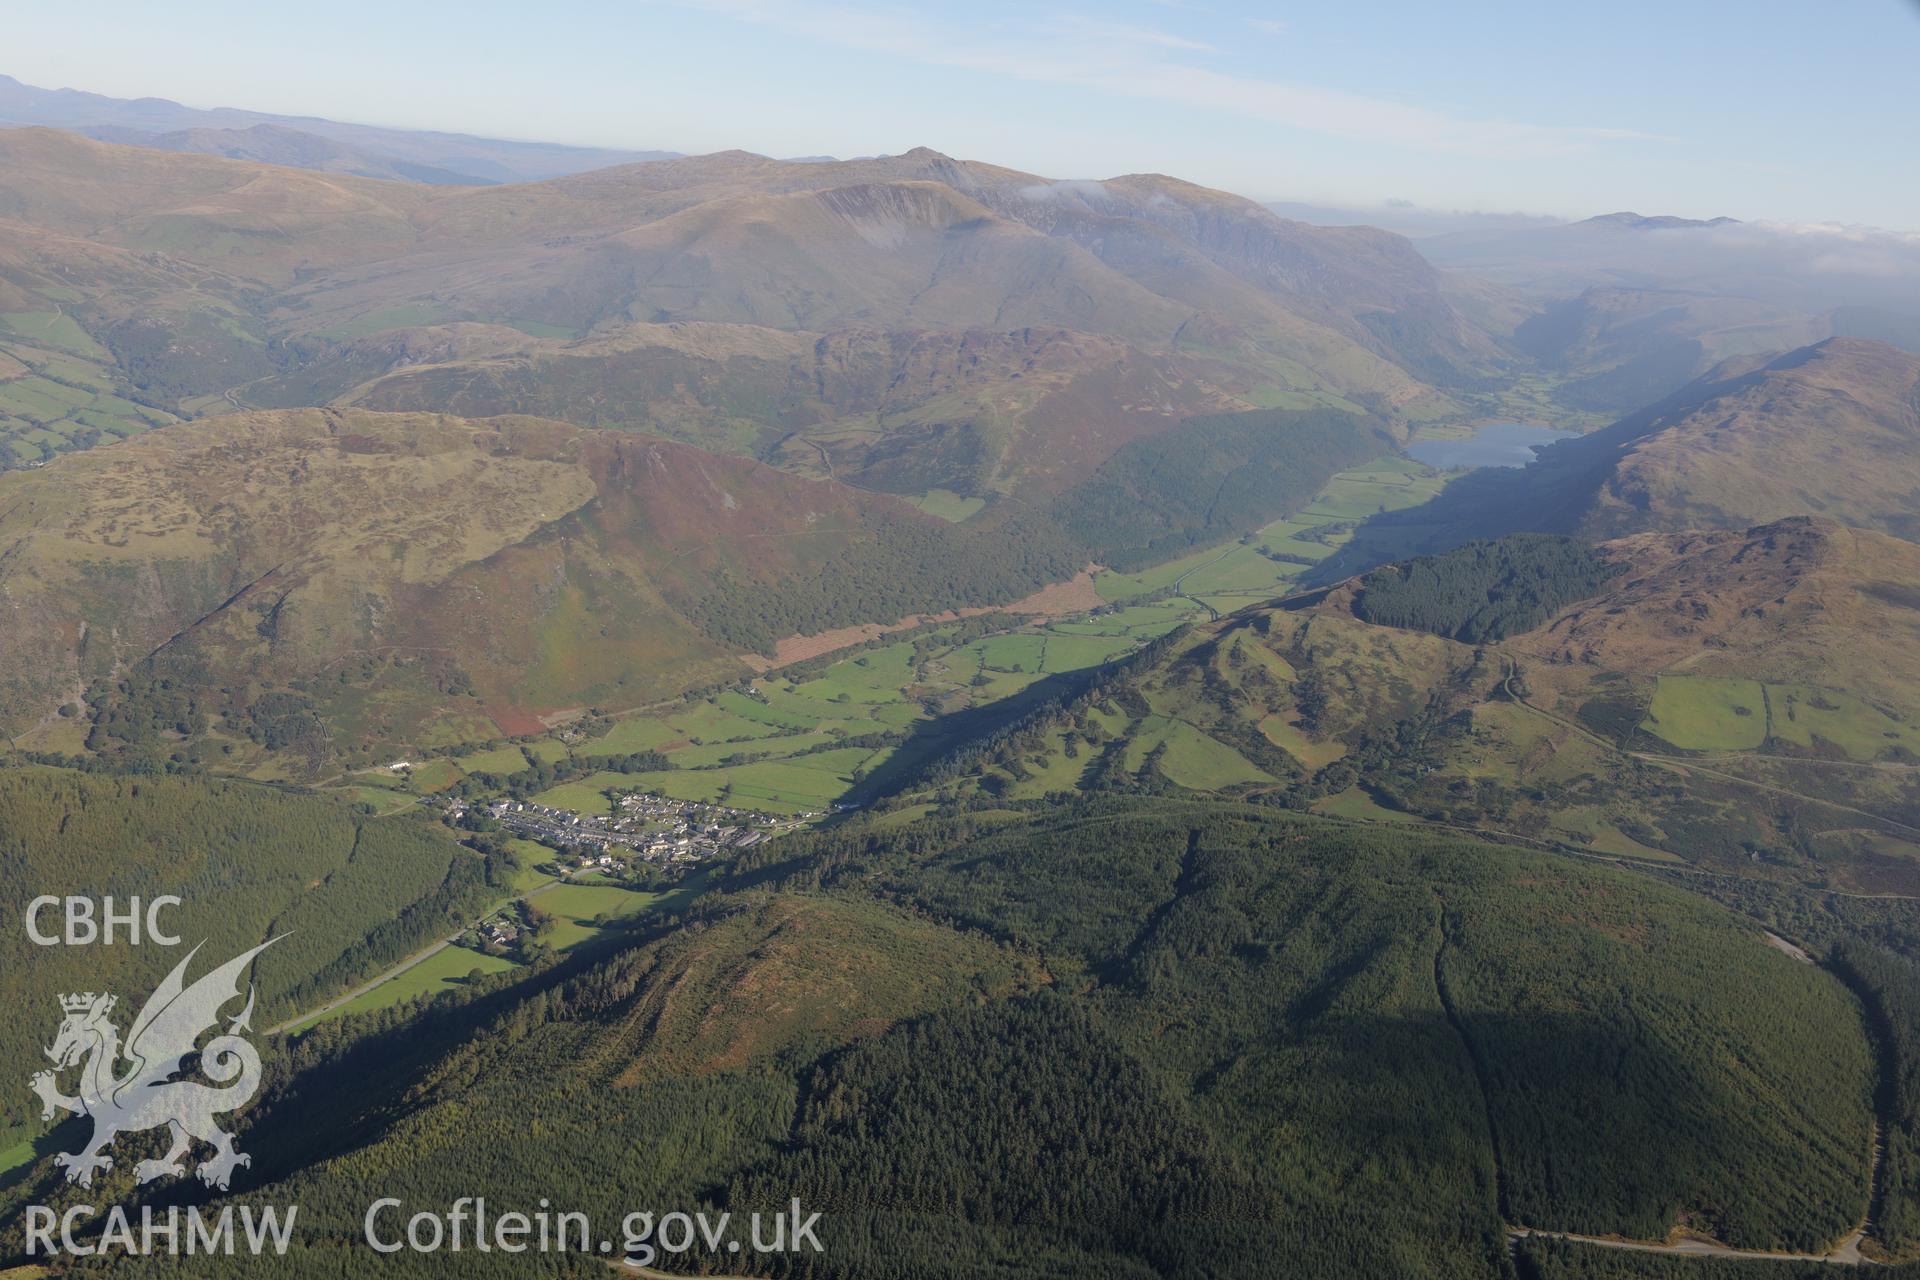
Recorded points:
350,893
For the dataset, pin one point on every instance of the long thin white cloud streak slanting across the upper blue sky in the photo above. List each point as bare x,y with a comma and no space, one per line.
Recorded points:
1141,62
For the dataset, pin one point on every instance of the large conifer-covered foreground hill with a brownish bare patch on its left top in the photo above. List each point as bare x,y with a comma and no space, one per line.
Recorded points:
1243,1041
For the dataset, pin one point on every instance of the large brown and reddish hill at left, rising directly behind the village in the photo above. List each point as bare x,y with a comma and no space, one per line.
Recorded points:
406,579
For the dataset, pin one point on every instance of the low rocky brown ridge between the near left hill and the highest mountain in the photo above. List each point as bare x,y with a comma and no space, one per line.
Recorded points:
971,412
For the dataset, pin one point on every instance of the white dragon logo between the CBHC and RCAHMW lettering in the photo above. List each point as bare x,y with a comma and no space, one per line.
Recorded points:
147,1095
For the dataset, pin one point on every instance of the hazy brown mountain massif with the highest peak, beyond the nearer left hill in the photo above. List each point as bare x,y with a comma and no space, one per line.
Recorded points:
1009,329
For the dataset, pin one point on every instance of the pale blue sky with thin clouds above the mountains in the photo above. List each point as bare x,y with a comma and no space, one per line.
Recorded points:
1758,108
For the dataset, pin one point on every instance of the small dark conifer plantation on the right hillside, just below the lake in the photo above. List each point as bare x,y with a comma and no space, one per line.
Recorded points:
1485,592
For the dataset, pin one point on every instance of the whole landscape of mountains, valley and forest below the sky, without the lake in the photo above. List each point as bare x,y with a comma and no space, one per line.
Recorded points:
942,698
